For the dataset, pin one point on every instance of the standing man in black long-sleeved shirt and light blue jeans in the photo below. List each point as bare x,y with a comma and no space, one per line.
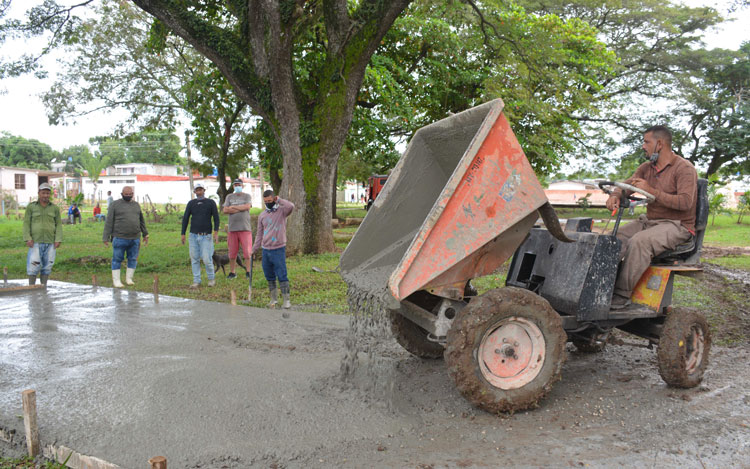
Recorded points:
200,211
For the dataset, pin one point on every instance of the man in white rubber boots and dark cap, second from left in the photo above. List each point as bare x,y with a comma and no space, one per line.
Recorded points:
124,226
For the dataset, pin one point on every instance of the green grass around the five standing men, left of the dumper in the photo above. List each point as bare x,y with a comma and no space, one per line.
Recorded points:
83,255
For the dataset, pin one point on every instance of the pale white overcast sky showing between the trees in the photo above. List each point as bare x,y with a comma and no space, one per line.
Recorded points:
22,112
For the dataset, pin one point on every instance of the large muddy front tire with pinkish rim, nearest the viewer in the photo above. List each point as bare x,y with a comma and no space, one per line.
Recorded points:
505,350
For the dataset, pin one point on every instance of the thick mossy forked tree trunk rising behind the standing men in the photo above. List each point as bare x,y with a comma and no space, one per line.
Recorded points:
259,63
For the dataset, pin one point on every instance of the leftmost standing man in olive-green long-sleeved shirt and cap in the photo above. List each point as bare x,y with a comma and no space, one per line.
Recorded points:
42,232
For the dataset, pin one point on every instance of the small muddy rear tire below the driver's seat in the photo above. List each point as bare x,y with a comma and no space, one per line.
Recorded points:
684,346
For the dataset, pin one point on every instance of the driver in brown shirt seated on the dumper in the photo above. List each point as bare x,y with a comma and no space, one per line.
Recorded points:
669,220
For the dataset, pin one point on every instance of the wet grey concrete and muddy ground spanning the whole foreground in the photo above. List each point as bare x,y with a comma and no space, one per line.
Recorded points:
215,386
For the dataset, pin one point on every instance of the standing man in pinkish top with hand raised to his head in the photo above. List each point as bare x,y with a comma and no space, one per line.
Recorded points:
271,237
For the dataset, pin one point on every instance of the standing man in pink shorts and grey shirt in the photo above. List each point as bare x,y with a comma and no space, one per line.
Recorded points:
239,232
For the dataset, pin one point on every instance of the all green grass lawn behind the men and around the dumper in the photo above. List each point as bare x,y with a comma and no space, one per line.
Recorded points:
83,255
